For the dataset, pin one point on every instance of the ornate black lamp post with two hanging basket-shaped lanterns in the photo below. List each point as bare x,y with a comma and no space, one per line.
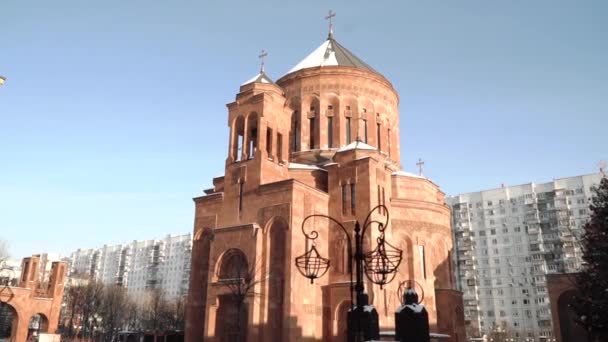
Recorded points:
379,265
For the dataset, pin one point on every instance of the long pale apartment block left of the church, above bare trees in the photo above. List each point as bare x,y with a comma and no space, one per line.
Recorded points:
139,265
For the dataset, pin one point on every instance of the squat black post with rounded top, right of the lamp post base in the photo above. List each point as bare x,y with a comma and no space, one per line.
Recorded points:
412,320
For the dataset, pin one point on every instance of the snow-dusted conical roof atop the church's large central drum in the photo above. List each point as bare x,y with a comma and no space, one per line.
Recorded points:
331,53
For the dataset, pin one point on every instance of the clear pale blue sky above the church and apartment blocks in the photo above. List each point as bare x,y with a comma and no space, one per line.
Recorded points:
113,115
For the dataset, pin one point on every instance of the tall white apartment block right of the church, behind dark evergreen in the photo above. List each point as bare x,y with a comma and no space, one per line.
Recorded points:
506,241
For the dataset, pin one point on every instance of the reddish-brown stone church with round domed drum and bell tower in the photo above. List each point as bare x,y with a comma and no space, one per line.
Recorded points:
322,139
